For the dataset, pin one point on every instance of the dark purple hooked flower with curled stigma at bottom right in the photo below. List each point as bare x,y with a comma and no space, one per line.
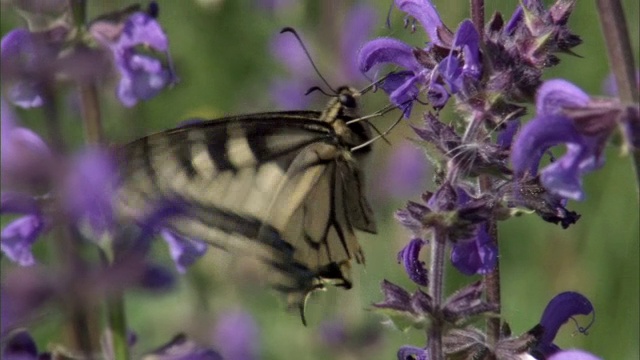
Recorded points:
559,310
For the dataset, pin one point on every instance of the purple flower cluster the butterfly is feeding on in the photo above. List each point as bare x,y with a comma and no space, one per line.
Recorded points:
443,68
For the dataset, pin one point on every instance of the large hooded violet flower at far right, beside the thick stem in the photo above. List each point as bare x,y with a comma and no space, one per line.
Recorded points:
565,115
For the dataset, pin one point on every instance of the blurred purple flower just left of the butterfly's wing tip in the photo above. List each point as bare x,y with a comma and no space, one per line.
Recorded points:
90,190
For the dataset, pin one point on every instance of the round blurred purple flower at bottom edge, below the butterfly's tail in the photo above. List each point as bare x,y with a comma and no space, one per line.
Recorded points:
237,336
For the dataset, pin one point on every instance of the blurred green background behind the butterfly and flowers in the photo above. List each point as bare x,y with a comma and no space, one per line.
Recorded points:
221,52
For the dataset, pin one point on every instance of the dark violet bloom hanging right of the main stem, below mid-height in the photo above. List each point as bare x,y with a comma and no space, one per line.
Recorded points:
475,256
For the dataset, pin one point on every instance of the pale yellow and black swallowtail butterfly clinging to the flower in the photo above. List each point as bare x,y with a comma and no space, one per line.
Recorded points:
283,187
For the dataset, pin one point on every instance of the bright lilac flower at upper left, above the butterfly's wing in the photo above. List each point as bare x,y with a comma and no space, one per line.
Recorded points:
141,76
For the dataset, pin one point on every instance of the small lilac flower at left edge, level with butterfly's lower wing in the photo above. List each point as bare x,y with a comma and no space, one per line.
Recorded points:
20,234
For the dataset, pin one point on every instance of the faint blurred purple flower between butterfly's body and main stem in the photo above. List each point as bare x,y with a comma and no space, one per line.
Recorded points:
405,172
